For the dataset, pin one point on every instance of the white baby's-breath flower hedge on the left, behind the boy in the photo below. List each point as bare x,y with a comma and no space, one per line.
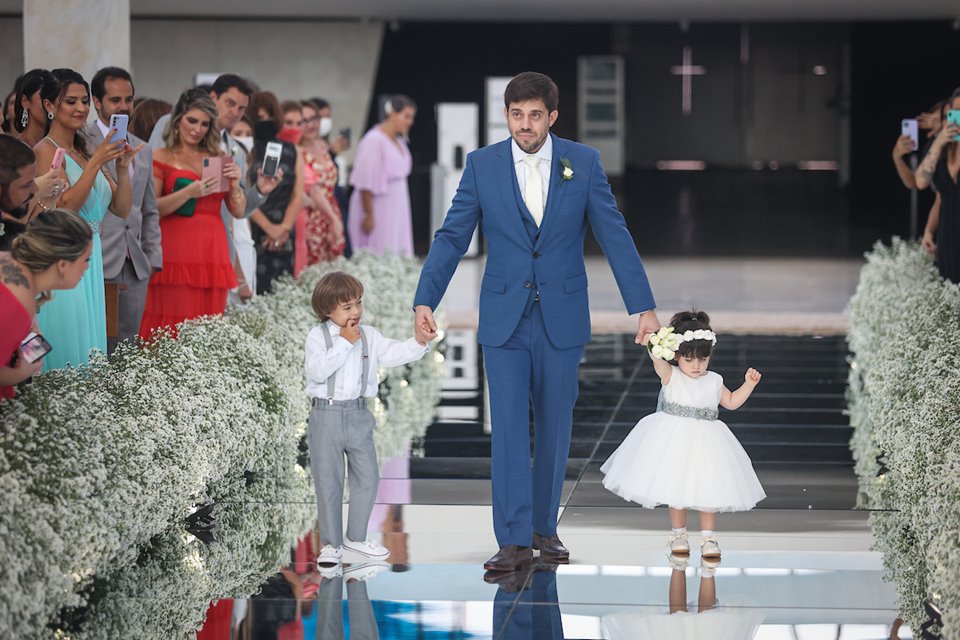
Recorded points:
100,466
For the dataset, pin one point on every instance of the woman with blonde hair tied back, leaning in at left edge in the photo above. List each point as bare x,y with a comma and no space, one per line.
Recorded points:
53,252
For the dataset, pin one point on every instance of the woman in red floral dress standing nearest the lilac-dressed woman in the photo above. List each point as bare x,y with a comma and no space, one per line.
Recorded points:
319,233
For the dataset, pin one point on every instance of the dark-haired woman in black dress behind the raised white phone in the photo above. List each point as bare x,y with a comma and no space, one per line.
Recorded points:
274,220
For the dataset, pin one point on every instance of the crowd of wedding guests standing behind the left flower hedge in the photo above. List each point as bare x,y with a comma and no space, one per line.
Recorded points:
167,209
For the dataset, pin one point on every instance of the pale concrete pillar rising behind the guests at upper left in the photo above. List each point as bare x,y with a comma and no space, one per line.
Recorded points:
83,35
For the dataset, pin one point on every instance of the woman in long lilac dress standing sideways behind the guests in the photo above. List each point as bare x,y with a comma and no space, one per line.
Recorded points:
380,218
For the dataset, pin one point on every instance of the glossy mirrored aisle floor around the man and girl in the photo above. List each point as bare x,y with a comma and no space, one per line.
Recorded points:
799,566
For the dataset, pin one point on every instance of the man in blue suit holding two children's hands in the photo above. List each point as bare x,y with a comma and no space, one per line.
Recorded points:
533,194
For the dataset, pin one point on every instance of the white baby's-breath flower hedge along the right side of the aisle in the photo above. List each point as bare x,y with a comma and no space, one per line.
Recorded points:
904,404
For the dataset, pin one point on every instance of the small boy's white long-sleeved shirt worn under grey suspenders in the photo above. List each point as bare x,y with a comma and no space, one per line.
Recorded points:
346,359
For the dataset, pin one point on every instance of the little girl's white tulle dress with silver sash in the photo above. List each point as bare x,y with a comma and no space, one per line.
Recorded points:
675,459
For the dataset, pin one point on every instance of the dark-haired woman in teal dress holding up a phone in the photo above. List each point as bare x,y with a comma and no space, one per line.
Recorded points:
74,322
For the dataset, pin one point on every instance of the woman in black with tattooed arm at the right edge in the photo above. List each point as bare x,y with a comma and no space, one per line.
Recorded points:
940,167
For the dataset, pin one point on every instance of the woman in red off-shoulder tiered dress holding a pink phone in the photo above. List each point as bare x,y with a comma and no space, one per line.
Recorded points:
197,272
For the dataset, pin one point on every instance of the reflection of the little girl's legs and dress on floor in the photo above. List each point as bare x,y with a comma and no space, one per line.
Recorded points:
707,621
